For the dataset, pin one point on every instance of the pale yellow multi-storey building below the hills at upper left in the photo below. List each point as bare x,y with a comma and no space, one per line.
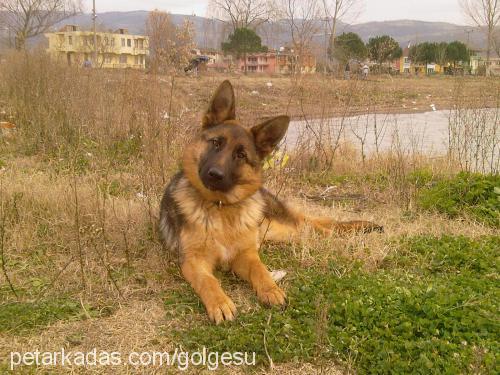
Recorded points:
117,49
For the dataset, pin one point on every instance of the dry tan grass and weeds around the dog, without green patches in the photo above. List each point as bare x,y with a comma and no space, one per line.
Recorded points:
82,177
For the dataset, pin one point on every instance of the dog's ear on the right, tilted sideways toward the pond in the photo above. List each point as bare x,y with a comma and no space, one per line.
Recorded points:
268,134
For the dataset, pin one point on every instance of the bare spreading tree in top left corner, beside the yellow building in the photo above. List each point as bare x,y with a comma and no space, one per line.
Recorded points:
29,18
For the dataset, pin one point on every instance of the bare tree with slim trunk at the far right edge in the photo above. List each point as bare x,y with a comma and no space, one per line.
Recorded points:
484,13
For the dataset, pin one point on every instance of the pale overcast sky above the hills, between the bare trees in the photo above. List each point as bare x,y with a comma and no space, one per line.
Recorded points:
373,10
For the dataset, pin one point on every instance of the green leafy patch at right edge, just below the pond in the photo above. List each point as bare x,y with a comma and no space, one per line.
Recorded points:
466,194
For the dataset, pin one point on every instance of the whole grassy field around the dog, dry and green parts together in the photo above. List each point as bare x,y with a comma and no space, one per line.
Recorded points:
82,267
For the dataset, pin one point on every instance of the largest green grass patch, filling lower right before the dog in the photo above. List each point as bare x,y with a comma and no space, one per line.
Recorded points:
431,308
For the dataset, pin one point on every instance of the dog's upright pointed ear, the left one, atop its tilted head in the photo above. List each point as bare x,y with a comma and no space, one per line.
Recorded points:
222,106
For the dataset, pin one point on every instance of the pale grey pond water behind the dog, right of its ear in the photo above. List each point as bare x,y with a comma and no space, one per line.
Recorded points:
427,133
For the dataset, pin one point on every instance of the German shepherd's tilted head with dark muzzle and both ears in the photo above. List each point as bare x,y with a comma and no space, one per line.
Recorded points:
224,161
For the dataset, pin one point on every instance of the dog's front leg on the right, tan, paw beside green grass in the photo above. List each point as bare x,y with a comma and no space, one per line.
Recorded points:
249,267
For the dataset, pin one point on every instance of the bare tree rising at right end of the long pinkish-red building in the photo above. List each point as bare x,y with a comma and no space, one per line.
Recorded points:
302,17
